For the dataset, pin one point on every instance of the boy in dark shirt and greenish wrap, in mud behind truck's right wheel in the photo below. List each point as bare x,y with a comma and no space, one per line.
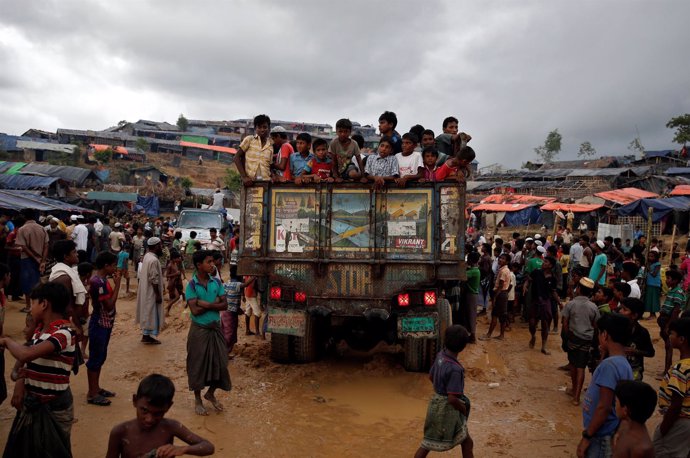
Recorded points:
445,426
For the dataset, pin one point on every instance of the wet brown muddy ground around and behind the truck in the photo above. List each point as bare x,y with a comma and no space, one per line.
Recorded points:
350,404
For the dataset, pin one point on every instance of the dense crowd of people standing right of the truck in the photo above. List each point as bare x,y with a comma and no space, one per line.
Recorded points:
593,292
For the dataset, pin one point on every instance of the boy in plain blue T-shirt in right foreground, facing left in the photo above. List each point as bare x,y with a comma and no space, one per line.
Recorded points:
599,407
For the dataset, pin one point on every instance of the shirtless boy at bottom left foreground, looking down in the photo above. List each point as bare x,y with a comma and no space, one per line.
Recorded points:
151,435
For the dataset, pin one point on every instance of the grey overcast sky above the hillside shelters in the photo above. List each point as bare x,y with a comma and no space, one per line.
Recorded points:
511,71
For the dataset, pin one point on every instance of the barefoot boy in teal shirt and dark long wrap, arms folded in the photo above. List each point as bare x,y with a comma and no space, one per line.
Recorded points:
207,354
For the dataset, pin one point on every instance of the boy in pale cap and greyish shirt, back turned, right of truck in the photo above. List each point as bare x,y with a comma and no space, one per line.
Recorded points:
579,318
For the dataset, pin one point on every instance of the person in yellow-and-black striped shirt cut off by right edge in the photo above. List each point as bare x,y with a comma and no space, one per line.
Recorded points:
671,436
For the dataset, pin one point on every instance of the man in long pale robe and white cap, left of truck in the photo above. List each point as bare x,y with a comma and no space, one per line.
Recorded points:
150,311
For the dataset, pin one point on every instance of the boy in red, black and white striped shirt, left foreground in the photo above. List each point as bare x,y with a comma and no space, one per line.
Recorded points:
49,359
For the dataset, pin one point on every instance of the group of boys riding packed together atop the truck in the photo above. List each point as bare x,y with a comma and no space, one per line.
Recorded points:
398,159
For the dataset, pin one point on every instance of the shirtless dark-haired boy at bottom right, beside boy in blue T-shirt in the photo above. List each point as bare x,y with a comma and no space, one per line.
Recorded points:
635,403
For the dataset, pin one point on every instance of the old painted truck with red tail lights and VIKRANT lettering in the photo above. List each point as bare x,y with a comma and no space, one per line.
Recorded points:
345,261
